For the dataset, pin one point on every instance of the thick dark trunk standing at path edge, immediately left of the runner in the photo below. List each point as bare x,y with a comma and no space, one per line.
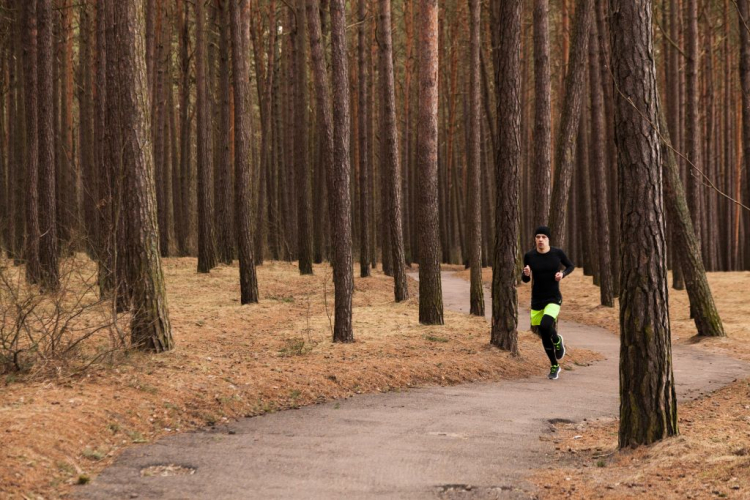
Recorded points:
507,165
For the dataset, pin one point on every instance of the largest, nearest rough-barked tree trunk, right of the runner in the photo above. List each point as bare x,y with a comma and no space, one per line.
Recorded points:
648,405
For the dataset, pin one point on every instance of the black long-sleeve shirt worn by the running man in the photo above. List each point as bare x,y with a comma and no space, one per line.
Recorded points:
544,266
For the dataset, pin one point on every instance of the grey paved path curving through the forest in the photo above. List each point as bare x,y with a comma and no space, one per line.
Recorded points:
473,441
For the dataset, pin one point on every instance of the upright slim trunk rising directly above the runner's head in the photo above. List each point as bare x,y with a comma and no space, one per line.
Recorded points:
542,115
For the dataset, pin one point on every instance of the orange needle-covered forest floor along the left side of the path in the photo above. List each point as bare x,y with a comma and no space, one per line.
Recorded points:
233,361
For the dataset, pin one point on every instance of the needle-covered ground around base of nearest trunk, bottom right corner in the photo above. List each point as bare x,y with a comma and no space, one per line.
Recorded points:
710,459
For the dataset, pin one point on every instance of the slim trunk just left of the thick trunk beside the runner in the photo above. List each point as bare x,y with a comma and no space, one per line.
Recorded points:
476,298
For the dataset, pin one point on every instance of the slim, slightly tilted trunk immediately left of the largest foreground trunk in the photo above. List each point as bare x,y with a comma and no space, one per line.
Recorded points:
598,170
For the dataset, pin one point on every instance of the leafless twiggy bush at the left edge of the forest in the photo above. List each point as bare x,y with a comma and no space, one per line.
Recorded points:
61,332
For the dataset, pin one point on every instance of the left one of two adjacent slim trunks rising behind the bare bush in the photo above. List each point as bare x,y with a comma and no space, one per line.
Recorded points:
31,91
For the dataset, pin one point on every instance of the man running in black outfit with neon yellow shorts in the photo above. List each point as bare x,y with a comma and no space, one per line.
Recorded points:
544,263
